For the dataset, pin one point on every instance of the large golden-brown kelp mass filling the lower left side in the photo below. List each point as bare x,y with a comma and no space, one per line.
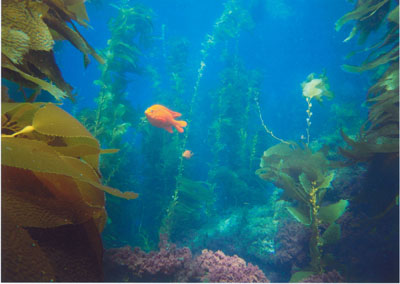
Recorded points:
51,190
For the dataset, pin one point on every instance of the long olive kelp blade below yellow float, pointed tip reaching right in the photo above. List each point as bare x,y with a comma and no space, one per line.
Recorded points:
38,156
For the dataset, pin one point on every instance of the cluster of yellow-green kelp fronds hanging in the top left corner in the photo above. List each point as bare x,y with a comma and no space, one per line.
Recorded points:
29,29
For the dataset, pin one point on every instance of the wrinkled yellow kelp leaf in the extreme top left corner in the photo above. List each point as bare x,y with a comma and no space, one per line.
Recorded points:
15,15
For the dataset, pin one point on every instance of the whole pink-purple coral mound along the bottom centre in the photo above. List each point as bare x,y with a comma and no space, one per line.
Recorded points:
172,264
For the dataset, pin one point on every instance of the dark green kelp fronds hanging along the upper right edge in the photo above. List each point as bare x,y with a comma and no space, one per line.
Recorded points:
380,133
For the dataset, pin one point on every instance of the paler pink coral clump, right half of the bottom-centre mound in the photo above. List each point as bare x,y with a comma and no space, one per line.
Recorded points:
221,268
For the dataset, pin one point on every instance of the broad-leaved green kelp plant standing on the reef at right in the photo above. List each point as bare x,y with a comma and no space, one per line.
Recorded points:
305,178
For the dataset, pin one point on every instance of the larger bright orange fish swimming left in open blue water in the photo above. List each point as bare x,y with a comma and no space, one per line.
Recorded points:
162,117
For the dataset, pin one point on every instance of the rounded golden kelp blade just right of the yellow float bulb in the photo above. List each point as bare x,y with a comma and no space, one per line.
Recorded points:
52,120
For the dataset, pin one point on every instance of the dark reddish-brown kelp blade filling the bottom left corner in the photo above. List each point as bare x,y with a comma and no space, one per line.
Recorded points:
21,245
